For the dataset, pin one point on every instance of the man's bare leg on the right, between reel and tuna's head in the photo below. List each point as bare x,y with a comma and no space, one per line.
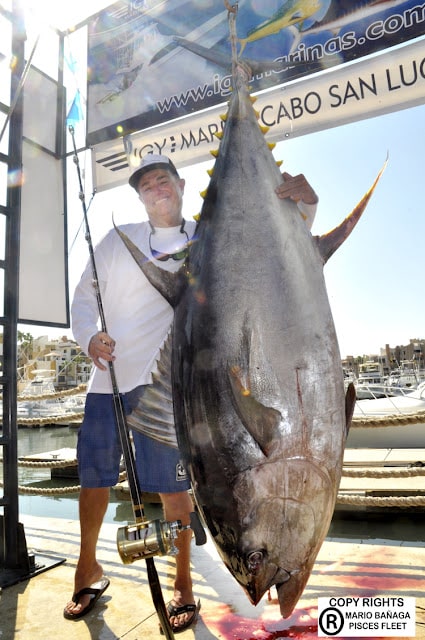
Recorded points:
178,506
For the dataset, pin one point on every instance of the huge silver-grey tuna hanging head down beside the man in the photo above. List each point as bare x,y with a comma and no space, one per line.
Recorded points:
258,391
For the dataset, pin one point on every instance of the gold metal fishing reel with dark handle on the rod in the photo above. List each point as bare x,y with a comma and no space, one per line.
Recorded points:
144,540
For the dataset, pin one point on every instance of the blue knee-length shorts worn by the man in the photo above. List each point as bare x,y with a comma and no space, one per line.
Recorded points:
158,466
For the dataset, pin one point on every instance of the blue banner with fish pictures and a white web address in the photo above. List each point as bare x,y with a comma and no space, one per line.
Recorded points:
152,61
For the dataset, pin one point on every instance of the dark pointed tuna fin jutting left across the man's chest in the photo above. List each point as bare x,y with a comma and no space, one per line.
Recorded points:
170,285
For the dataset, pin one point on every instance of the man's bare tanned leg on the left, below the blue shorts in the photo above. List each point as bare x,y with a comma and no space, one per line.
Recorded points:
93,504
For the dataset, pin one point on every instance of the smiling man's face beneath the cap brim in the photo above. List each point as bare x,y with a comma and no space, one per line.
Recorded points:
161,193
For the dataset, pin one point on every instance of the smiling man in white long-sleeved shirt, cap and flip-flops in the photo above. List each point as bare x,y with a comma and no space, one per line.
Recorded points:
138,320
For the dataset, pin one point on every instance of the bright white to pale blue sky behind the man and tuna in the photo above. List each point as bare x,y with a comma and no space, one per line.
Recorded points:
374,279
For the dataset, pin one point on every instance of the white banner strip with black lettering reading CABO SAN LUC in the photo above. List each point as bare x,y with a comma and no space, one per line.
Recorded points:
381,84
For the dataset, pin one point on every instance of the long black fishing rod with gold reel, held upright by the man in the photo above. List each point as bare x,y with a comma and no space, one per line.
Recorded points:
144,539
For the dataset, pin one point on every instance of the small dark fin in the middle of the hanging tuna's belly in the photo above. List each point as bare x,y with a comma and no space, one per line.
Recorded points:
261,422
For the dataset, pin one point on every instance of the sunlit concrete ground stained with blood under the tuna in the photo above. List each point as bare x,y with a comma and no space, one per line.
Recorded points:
32,609
